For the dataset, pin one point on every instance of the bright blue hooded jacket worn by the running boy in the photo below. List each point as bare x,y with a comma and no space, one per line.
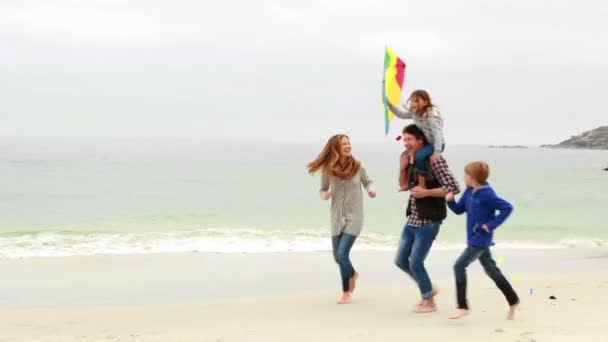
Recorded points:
481,206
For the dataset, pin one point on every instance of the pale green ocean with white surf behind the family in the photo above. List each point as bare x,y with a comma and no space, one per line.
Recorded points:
69,196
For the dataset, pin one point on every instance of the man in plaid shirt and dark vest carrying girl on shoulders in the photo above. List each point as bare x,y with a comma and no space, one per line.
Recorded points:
426,212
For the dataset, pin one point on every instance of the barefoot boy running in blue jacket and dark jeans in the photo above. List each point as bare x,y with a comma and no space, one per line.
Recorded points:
480,202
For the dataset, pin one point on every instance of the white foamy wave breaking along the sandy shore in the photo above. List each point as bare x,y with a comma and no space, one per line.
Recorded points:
64,244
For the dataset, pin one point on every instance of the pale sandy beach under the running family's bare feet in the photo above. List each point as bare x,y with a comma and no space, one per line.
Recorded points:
273,297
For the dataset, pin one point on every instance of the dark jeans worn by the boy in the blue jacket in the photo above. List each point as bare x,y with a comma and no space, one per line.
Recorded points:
484,255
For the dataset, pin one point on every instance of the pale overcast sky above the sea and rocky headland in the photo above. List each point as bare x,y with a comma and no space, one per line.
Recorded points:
501,72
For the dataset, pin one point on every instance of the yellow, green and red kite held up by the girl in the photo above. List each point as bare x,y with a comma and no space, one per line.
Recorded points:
394,75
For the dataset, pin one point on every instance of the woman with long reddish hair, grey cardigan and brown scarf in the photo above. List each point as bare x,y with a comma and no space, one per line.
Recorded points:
342,177
